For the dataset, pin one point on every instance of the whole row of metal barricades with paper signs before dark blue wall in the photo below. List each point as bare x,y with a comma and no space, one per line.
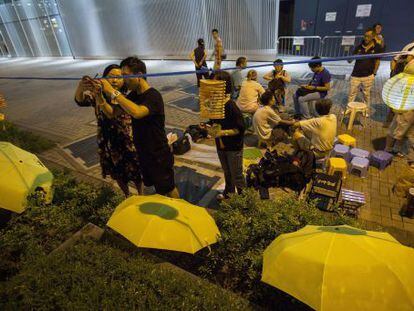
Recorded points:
328,46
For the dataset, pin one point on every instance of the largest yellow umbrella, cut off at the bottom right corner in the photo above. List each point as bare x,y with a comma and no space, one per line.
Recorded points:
342,268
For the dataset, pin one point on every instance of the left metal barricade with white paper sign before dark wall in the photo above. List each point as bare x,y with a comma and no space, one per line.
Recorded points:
299,45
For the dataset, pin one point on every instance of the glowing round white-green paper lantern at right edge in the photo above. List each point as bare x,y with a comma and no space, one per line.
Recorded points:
398,92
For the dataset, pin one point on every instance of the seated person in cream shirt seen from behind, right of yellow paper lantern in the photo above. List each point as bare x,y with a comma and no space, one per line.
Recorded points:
250,92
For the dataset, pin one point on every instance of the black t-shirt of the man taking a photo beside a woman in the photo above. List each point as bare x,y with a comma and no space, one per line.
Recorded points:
149,132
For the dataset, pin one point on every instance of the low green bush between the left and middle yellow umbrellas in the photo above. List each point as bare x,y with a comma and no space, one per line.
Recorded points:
41,228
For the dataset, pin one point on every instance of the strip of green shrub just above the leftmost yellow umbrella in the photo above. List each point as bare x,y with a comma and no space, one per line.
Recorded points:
24,139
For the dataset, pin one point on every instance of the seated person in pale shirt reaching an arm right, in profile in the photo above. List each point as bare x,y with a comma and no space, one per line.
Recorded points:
266,122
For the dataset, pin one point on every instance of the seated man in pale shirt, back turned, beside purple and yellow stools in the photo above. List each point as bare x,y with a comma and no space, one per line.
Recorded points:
317,134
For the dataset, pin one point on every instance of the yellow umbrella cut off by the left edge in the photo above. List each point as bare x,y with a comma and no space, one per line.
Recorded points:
22,174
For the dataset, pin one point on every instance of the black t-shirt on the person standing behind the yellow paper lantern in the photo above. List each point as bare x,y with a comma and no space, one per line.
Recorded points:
233,120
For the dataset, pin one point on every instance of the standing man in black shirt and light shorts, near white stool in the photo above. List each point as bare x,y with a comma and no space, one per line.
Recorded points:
365,69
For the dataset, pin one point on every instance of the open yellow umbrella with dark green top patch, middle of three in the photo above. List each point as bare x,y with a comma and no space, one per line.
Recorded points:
159,222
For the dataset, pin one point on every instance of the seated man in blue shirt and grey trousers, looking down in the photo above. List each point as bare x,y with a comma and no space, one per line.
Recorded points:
316,89
